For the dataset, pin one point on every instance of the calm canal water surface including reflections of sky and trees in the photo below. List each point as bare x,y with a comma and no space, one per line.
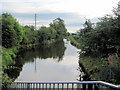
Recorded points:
58,62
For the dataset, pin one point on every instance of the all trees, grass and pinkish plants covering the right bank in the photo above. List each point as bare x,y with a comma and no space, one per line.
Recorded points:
100,47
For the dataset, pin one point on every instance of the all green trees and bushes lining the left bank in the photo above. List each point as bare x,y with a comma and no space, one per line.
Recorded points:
15,37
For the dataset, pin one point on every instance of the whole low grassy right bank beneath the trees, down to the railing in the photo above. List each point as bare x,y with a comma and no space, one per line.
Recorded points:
99,69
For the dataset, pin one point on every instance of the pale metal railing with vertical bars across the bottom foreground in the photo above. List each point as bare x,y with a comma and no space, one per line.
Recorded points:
83,85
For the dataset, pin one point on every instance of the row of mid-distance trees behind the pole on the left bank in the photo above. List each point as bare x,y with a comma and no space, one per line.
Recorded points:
44,35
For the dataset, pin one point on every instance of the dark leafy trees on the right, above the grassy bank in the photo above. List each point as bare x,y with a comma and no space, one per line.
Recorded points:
101,39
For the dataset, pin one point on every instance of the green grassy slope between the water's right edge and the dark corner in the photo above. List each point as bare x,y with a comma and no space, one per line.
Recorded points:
92,66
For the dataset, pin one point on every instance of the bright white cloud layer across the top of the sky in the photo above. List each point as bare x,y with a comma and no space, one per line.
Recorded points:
88,8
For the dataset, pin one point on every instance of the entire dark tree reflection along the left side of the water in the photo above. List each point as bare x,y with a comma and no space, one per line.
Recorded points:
55,51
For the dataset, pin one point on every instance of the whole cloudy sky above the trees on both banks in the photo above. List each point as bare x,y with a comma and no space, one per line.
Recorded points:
73,12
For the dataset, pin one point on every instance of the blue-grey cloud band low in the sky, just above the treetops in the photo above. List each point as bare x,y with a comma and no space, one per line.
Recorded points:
72,21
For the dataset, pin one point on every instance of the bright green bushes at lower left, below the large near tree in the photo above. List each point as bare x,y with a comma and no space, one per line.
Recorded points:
7,57
